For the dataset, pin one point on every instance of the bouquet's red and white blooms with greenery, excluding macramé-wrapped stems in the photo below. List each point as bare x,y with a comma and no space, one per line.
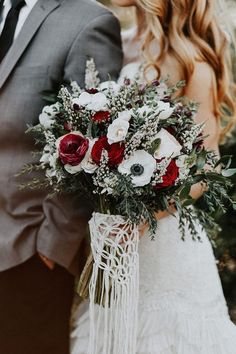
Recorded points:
131,147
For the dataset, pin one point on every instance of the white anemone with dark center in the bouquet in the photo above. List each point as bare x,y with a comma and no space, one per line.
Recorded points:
141,166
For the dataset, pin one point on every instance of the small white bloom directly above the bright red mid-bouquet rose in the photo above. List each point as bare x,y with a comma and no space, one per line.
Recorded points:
117,130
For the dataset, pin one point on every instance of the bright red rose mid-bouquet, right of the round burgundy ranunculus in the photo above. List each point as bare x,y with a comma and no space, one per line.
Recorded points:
115,151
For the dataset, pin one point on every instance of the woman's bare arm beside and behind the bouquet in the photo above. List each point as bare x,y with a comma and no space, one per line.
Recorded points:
201,88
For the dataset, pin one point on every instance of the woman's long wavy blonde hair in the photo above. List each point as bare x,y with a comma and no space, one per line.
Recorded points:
181,25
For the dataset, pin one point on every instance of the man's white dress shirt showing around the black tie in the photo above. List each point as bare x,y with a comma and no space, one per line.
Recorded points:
24,13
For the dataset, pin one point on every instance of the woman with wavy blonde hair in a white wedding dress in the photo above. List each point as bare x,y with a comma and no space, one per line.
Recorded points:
182,309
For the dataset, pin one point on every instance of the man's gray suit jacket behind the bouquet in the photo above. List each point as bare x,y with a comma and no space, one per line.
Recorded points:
52,48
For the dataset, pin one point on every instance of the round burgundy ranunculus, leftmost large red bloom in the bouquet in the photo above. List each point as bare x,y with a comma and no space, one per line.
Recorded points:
72,148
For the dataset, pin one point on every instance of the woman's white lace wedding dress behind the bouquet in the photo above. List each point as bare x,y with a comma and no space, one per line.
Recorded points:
182,309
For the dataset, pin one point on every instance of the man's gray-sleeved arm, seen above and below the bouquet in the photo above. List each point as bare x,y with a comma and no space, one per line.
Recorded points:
99,39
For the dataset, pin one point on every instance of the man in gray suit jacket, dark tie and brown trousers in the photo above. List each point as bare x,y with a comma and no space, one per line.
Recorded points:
43,43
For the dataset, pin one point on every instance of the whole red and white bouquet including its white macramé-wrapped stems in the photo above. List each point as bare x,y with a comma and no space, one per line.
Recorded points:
133,149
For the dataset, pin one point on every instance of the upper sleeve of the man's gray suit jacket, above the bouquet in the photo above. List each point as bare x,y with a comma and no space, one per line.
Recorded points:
99,40
